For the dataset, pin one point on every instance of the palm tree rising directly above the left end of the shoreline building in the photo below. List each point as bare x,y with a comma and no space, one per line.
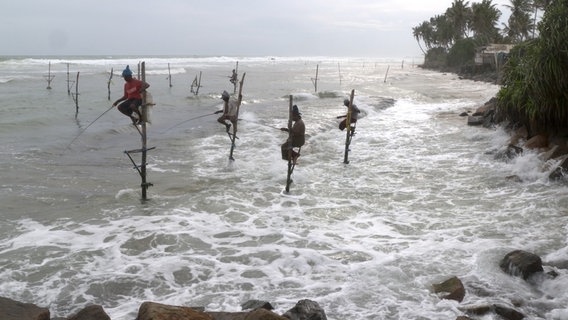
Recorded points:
484,20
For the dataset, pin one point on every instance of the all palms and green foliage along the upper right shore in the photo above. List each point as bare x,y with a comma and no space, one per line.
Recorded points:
534,79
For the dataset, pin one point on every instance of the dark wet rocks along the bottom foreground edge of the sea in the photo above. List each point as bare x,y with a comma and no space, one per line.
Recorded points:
517,263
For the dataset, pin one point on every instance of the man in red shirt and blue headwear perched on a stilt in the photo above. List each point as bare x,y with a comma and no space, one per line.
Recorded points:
132,96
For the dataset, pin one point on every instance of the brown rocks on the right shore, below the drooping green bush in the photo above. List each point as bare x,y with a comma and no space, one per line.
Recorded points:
549,147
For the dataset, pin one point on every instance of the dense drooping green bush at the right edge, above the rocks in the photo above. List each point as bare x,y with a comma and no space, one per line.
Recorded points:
534,90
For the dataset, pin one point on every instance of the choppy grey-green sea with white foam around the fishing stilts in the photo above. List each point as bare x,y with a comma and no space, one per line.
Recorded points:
422,199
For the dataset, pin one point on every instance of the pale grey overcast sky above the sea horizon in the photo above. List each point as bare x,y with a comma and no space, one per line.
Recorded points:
369,28
